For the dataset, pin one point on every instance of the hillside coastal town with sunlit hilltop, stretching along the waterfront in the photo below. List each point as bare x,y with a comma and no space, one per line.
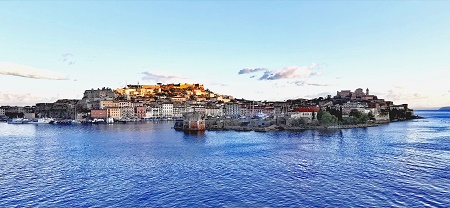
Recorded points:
170,101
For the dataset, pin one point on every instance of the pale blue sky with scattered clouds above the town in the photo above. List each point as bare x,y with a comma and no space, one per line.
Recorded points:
259,50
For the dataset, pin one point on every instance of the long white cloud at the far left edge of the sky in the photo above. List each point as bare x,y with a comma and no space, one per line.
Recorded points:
14,69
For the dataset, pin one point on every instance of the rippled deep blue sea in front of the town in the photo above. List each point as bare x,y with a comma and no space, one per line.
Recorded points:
401,164
